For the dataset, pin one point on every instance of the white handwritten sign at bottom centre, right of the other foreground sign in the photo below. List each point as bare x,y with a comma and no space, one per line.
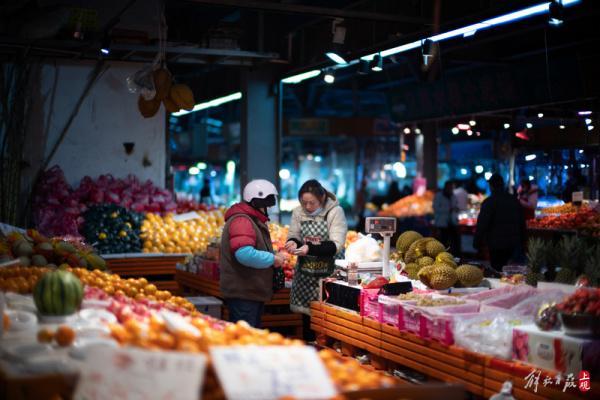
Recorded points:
271,372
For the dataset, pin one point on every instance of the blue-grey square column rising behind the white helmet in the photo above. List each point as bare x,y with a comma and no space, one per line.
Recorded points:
260,126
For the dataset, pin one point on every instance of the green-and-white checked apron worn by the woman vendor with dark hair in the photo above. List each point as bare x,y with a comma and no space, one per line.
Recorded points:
309,269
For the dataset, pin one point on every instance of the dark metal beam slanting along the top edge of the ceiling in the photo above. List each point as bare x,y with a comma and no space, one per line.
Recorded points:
310,10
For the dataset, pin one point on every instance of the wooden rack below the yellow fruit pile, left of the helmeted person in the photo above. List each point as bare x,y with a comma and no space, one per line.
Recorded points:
157,268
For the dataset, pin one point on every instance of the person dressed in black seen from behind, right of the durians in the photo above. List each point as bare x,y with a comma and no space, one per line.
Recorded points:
500,224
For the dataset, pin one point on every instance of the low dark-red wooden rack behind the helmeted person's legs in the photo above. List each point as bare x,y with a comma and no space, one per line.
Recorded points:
194,283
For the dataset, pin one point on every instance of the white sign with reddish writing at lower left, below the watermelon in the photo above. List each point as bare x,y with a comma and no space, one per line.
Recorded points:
132,374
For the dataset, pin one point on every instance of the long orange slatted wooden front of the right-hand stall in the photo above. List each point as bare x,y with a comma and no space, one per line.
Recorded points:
481,375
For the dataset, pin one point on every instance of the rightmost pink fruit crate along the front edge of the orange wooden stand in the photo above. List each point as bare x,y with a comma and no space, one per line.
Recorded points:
438,322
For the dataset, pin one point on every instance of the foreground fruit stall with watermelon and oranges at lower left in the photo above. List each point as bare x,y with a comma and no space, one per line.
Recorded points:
61,328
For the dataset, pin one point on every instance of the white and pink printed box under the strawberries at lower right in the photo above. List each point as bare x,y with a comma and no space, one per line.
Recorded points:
555,351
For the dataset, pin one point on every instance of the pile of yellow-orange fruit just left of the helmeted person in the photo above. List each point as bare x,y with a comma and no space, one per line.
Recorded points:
163,234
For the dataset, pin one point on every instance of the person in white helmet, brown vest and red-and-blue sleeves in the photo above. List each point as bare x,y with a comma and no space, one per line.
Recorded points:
247,258
